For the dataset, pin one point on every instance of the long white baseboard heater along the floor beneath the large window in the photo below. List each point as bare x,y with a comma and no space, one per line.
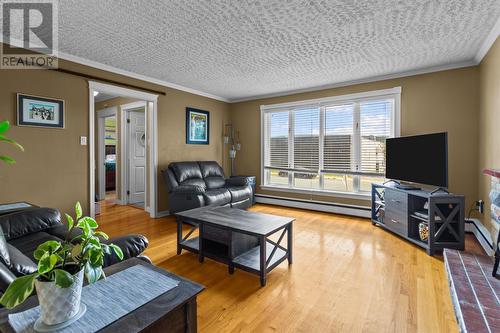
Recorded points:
322,206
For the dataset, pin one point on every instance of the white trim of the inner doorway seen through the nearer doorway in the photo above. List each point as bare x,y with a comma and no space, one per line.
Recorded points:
124,153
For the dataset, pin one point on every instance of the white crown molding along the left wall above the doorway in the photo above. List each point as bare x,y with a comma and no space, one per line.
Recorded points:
115,70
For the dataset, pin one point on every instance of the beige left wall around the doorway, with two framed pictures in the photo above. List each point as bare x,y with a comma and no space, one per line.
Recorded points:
53,171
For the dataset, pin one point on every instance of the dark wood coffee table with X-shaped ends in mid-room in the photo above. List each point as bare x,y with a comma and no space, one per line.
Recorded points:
236,237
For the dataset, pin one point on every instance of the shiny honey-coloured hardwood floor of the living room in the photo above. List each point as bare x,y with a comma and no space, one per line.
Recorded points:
347,276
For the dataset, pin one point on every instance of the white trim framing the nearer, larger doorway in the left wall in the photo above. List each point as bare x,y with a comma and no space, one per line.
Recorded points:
151,119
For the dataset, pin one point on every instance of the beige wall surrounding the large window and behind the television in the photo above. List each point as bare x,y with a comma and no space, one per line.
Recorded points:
442,101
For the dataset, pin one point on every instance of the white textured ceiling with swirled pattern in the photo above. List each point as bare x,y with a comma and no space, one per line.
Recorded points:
240,49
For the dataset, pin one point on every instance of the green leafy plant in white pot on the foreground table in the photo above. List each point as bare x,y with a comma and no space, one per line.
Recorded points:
61,268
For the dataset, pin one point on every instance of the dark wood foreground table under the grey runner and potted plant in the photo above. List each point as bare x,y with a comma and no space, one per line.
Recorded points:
173,311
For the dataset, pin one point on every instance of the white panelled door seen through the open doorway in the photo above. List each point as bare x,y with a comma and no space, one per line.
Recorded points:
137,157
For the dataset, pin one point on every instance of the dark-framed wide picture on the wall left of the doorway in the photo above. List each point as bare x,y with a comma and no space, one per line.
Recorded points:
40,111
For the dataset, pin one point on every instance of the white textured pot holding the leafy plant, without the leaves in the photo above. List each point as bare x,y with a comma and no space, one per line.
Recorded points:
58,305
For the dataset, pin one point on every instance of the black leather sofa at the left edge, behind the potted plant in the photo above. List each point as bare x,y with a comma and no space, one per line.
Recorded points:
25,230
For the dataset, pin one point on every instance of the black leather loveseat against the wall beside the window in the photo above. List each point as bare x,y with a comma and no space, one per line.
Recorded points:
196,184
